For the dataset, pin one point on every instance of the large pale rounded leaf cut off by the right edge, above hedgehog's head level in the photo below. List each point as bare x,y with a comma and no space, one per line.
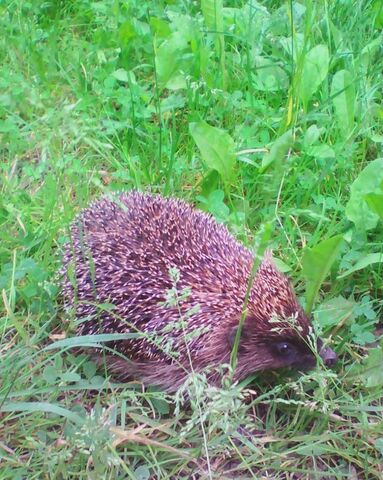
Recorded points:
368,181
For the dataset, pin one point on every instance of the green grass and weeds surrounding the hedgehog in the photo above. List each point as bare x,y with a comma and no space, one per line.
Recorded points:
102,96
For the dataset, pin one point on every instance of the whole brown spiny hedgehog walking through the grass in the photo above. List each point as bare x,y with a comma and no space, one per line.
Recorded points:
178,282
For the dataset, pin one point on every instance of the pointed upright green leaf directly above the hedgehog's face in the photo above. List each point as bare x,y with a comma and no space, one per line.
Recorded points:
316,263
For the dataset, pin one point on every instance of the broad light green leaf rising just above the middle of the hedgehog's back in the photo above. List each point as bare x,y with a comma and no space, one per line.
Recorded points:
217,148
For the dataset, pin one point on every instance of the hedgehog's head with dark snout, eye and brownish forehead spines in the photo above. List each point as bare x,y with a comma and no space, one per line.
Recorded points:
276,333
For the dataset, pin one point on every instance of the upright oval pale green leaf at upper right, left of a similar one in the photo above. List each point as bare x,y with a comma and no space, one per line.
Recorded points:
315,70
